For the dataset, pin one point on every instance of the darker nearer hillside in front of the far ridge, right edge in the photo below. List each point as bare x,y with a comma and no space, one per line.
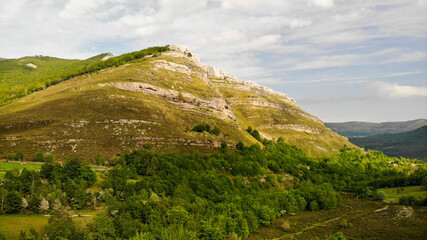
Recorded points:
412,144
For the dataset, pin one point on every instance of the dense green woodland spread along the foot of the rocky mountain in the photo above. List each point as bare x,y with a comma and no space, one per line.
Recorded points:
224,195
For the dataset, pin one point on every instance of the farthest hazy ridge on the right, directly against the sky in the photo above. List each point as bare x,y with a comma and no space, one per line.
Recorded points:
362,129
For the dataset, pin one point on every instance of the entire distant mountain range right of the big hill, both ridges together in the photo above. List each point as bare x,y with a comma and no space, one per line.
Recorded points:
397,139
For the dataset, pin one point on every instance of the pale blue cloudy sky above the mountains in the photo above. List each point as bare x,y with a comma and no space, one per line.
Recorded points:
341,60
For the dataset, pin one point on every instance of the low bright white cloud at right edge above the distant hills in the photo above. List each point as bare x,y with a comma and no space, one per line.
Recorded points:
381,89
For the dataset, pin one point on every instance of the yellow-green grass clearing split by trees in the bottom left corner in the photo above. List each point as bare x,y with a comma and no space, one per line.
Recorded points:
11,225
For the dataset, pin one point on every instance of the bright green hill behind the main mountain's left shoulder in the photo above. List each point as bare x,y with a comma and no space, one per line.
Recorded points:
20,77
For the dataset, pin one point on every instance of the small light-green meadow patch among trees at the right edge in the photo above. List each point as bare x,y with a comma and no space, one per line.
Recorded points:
393,194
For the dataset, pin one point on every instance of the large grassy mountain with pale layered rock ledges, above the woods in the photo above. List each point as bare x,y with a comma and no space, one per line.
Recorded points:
153,98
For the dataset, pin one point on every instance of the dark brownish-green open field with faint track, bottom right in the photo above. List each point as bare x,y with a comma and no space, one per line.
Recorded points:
356,218
